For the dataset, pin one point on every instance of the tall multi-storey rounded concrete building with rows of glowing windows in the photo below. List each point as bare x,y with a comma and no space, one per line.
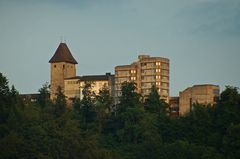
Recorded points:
145,72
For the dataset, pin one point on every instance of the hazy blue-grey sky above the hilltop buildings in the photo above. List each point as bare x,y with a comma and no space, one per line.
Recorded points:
200,37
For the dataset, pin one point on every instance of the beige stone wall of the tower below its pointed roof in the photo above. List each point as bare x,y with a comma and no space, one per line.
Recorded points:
60,71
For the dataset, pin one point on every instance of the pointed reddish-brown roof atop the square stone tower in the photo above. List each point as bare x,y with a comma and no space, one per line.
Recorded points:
63,54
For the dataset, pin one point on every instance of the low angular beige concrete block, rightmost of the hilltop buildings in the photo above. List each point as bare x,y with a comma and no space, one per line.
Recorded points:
202,94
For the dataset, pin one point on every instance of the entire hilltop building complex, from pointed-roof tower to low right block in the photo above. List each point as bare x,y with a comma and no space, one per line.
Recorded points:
145,72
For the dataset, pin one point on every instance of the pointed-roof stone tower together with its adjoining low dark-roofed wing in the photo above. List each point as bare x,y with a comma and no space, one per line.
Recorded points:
63,74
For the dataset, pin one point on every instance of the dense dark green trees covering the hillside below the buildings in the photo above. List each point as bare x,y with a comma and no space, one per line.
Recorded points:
96,128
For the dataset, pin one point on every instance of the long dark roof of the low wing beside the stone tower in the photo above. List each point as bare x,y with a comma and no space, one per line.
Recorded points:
92,77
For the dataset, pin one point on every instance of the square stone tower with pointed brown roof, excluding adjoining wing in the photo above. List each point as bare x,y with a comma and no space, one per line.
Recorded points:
62,66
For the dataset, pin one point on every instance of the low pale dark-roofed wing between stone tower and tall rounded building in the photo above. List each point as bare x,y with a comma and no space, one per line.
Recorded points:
74,85
